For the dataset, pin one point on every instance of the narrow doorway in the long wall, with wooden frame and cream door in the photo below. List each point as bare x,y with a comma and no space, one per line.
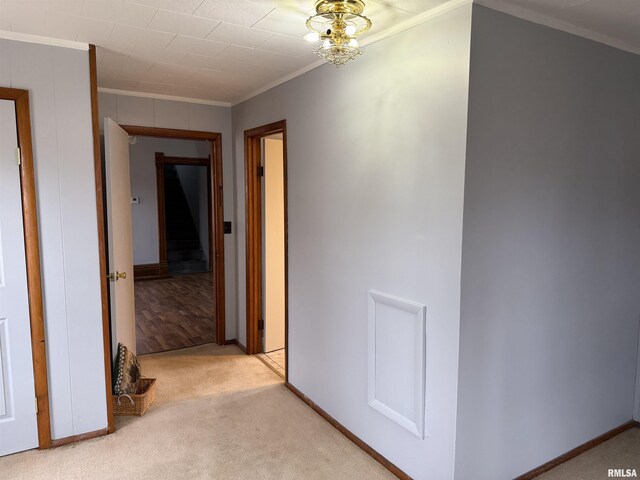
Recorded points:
267,264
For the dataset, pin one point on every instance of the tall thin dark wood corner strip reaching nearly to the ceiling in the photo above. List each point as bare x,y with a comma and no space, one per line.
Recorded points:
104,295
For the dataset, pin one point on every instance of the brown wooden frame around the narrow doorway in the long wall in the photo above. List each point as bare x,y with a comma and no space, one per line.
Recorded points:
253,245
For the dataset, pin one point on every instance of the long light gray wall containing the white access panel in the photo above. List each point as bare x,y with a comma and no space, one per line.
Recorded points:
375,177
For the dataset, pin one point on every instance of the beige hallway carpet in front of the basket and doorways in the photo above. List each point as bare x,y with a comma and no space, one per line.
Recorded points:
219,414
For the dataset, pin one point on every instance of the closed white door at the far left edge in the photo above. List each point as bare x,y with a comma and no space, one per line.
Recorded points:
18,424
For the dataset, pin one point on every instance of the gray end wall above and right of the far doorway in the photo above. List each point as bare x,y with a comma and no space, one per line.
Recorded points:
149,112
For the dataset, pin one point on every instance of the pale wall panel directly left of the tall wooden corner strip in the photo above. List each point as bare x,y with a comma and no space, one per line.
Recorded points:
80,236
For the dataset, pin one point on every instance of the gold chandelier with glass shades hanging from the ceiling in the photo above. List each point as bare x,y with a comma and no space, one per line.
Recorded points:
336,25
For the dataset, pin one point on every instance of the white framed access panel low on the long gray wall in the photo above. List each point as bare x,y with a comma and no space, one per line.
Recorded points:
397,355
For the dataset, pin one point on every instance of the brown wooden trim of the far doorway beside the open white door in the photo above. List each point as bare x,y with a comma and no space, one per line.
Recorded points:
217,204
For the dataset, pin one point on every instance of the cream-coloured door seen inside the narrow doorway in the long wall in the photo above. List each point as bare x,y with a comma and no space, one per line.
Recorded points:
273,258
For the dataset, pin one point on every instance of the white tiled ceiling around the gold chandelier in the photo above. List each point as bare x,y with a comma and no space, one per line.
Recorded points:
223,50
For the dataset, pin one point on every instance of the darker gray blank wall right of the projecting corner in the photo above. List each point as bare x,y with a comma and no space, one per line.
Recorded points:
551,257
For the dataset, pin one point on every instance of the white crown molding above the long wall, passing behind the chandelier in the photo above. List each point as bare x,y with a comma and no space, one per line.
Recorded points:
388,32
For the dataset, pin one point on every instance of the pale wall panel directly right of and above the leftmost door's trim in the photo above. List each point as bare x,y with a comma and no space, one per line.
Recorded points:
31,68
